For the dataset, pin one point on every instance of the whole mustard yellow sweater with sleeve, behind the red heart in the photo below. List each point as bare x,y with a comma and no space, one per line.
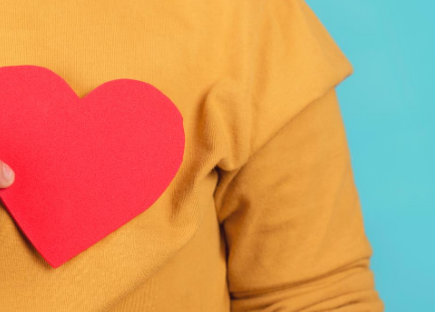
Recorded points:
263,215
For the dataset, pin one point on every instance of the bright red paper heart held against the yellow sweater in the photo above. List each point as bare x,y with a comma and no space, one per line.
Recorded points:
84,167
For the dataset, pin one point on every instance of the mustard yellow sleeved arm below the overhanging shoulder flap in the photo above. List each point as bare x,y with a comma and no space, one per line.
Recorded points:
293,222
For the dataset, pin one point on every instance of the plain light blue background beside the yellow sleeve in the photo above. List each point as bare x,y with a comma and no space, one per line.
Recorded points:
389,111
